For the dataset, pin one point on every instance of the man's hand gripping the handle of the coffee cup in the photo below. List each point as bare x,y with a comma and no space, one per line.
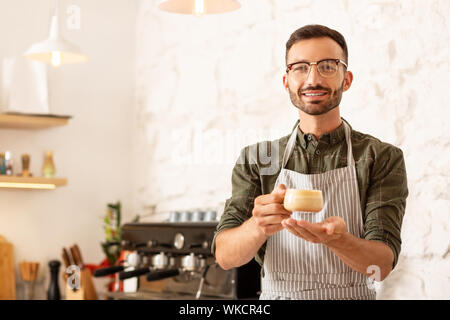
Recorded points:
268,211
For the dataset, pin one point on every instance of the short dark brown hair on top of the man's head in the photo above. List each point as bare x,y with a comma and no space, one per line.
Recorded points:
317,31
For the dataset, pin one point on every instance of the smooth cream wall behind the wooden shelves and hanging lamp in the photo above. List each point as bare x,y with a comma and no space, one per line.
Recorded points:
92,151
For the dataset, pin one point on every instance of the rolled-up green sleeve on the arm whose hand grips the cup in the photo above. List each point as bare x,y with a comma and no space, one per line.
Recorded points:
246,186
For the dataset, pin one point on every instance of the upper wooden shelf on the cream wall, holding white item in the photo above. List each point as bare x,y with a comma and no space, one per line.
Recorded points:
31,121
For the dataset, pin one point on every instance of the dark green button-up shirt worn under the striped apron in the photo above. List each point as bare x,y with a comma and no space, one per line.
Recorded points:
380,169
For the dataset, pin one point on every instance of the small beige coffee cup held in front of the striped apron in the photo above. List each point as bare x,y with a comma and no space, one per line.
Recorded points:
303,200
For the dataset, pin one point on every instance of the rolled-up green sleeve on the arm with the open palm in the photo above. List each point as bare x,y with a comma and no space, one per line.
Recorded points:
386,199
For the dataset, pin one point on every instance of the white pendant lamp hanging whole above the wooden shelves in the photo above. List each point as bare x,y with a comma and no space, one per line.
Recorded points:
55,50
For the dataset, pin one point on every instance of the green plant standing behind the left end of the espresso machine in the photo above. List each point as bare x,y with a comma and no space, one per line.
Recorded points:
111,247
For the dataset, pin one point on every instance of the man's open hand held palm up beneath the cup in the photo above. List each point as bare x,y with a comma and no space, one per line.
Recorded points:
325,232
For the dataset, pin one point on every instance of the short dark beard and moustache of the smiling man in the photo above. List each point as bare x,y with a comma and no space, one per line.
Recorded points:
317,107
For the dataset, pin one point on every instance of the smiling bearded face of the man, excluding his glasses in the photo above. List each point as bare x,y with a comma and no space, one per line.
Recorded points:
301,88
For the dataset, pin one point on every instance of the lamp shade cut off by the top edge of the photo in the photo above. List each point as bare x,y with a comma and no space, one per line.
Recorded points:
199,7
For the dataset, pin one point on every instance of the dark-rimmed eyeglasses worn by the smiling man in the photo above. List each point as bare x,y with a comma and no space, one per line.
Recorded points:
327,68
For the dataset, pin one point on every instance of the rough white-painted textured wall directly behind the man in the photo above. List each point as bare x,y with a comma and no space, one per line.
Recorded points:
207,86
